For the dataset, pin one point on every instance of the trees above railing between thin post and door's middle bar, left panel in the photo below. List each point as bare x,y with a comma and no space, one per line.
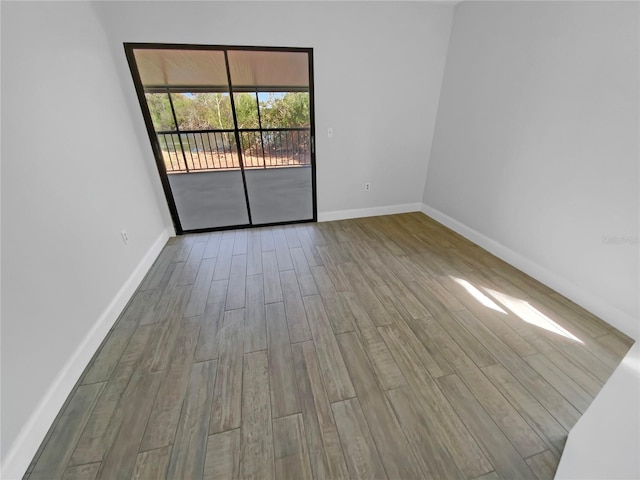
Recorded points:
203,111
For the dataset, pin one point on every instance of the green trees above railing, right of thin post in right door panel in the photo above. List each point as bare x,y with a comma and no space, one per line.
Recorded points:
284,109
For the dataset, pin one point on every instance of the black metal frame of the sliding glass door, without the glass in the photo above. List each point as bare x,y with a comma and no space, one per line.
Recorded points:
129,49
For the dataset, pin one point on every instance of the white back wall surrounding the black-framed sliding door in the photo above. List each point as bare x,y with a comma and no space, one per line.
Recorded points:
378,71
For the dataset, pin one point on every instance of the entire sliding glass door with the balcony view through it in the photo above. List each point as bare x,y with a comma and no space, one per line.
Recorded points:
232,131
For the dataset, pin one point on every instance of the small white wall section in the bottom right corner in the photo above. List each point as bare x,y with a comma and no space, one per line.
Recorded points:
606,440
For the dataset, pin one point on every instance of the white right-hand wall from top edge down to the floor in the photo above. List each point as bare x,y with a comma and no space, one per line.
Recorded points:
536,149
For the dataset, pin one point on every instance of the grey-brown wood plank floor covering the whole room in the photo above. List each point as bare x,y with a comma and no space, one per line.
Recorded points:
384,347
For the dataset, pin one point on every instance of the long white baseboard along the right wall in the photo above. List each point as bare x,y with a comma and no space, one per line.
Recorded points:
588,300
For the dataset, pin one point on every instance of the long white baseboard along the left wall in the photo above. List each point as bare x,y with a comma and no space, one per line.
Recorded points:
30,437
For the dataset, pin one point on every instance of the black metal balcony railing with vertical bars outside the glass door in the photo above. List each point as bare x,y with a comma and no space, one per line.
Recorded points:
206,150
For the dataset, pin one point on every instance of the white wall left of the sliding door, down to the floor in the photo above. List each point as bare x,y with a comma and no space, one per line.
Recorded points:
72,178
